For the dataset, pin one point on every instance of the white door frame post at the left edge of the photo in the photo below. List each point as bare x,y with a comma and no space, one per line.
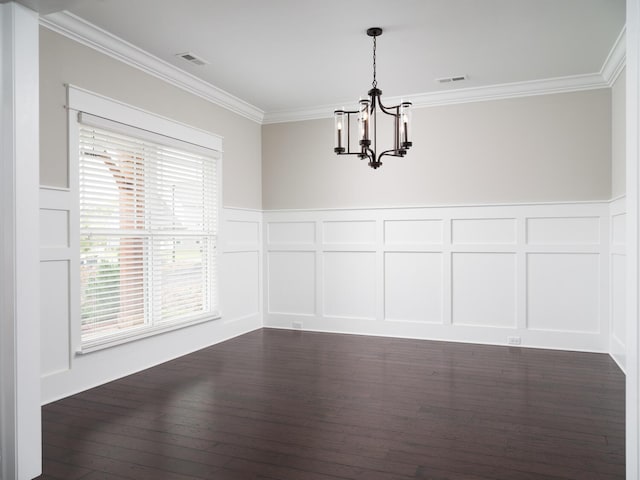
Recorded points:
20,421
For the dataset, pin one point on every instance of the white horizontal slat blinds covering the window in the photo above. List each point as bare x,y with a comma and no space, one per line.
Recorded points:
148,231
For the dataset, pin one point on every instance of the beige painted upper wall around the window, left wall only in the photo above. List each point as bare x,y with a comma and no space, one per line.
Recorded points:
63,61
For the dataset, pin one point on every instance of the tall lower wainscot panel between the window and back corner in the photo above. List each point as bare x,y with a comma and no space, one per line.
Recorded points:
240,285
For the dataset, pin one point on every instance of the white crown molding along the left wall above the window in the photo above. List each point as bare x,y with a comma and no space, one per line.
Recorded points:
90,35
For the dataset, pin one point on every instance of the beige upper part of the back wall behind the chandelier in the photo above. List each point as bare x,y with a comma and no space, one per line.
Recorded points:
533,149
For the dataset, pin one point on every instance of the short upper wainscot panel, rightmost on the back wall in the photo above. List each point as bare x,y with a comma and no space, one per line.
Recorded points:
562,231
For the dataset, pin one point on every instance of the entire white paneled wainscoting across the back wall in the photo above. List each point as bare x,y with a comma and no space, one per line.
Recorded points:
537,274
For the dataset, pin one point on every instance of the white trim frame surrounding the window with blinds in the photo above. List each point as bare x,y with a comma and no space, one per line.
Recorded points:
80,100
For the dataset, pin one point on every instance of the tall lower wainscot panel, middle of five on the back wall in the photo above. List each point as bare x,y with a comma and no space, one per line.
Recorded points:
413,286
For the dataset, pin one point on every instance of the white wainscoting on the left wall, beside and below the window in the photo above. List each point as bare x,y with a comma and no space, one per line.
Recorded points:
64,372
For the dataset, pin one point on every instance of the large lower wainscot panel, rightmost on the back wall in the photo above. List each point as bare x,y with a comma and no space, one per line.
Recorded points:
563,292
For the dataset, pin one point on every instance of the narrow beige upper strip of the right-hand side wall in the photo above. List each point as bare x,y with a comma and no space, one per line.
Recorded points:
618,136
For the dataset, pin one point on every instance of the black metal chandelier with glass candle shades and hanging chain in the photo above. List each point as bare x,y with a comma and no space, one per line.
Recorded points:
367,118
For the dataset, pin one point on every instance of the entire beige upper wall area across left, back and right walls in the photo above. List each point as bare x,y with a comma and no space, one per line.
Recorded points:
543,148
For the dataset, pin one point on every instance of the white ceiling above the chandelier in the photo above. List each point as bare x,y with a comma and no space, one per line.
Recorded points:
292,55
